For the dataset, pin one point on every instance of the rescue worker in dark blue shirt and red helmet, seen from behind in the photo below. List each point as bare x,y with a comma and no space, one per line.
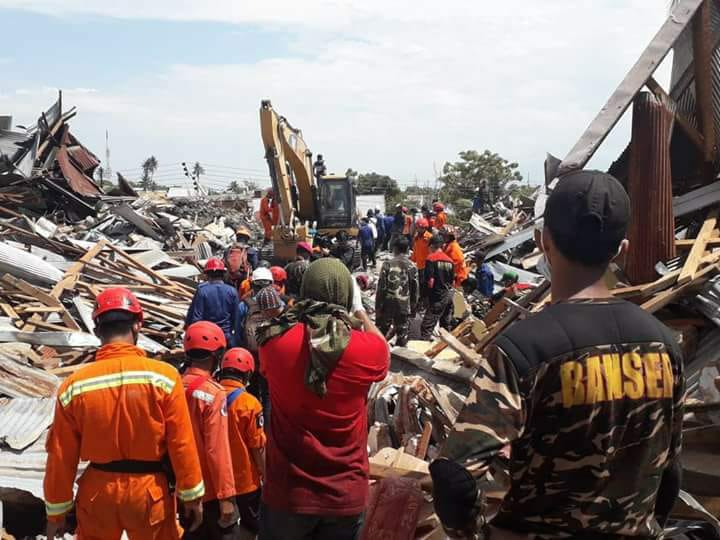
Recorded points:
215,301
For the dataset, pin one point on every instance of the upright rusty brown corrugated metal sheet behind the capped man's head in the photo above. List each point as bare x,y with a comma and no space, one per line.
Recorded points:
650,188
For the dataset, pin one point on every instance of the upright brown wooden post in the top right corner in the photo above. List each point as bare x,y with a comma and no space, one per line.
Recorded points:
702,51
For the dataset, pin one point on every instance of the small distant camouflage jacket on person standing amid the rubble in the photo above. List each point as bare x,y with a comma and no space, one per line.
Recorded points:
398,288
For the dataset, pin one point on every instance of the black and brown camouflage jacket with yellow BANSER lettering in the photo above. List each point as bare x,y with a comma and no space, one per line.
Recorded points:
589,398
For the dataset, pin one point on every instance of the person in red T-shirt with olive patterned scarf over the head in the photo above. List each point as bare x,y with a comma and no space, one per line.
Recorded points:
317,463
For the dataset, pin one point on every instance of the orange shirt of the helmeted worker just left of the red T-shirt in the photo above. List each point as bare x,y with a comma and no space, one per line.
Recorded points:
245,421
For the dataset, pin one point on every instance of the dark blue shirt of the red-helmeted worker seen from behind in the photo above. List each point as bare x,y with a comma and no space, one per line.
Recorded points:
216,302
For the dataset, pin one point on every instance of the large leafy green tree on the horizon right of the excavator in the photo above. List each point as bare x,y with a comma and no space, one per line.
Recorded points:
488,171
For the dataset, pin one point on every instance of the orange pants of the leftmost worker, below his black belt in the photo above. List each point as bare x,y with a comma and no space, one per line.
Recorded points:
139,504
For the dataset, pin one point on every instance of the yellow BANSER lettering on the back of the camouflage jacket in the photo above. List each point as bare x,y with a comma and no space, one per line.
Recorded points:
610,377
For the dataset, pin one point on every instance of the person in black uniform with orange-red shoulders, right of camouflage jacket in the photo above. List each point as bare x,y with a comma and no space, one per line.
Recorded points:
440,279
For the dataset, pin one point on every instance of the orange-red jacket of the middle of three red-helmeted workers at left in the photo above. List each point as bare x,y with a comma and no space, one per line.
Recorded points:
208,412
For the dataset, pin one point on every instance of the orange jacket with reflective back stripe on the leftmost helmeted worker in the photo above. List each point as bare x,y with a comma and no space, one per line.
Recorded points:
122,406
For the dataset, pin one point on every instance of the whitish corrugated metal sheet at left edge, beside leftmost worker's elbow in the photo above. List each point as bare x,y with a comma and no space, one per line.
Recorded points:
23,421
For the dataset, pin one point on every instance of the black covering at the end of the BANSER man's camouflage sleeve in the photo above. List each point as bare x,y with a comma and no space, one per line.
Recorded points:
456,498
